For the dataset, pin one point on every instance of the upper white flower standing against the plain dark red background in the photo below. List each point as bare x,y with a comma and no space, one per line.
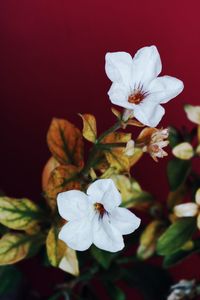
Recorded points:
136,85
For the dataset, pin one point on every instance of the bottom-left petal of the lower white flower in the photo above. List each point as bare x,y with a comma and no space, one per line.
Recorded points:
77,234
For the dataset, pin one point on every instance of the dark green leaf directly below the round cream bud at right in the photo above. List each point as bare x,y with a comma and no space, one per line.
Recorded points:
177,172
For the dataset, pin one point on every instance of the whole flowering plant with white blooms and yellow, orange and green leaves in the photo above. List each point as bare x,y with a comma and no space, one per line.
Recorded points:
90,198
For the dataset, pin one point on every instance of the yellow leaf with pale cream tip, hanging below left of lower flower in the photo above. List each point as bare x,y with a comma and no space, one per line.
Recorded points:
60,255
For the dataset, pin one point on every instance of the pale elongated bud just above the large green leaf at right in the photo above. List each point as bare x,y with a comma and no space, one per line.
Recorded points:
186,210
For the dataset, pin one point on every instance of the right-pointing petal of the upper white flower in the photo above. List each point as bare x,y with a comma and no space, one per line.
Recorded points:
165,88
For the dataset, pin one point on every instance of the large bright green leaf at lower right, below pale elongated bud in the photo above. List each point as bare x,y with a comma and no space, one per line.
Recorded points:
176,236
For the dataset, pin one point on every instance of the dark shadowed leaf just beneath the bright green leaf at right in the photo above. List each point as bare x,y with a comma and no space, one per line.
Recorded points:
180,255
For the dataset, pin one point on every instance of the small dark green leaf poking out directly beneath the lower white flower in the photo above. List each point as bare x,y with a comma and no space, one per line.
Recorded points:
104,258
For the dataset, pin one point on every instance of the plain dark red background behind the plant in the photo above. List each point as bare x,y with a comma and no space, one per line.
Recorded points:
52,64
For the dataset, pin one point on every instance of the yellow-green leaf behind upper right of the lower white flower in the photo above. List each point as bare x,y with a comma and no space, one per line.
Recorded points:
132,193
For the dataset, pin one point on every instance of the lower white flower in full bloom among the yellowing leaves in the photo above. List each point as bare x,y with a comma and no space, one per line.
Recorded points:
95,217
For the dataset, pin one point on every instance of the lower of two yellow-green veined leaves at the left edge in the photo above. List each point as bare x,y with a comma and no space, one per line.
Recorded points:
17,246
